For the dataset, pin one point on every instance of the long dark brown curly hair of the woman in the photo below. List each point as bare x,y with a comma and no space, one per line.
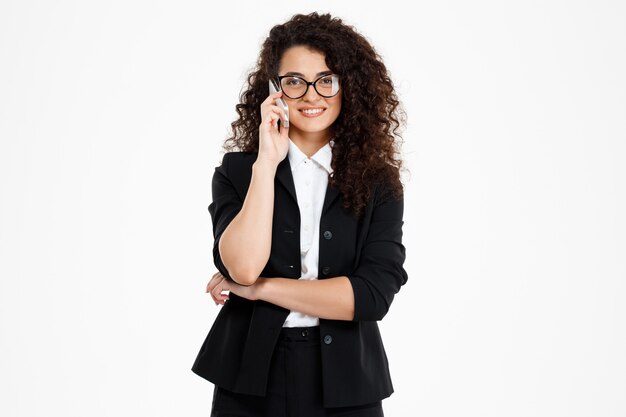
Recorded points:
364,154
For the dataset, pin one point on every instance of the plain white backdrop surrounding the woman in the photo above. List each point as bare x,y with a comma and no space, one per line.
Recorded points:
112,115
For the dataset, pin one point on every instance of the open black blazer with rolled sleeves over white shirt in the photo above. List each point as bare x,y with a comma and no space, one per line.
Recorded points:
236,353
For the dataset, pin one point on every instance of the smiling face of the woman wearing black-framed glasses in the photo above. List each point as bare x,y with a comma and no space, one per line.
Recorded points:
310,65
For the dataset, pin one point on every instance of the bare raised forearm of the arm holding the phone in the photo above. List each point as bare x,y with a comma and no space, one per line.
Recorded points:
246,243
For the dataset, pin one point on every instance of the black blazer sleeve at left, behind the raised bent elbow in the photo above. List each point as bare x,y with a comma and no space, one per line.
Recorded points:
223,209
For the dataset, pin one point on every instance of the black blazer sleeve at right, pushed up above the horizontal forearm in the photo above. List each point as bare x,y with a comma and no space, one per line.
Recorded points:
380,272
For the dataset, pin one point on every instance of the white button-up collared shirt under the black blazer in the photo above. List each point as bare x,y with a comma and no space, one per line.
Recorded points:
310,177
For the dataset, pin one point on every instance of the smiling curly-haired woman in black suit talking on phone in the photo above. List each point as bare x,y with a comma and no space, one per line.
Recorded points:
307,221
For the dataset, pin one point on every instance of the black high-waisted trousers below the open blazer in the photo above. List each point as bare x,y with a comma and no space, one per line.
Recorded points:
294,384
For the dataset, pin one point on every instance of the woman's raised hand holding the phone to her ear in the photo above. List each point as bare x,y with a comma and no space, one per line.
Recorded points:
273,145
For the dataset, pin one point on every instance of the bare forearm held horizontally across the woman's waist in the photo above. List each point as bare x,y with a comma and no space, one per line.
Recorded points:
331,298
